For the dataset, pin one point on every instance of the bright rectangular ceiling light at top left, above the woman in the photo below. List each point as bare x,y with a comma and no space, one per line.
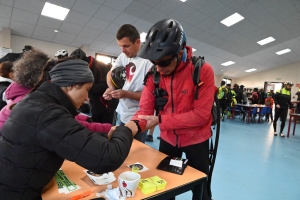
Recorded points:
54,11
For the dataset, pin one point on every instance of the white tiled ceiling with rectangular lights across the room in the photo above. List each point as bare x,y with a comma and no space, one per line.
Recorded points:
95,22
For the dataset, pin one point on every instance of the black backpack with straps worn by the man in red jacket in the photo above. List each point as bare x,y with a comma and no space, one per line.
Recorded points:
197,62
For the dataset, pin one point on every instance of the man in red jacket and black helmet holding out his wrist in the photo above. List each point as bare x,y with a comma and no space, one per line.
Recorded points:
184,122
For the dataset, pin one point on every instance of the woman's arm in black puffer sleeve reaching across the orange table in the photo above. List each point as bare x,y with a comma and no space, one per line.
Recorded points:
62,134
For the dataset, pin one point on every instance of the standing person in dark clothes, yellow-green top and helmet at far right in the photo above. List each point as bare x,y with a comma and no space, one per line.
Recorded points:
282,102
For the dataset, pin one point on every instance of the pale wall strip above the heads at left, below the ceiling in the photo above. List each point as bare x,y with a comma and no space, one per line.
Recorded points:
18,43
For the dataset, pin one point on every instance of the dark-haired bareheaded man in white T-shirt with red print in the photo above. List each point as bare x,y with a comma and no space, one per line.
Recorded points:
136,68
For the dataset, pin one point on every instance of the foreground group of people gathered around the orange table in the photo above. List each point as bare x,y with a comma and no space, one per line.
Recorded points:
43,101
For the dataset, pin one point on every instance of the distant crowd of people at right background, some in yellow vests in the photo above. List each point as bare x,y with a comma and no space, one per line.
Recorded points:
279,100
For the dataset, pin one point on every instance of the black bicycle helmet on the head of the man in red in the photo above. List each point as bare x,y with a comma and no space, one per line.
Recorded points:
164,38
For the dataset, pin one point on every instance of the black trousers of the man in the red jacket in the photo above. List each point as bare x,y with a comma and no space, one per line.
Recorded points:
197,155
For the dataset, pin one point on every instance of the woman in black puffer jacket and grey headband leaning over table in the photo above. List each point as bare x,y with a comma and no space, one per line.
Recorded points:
41,132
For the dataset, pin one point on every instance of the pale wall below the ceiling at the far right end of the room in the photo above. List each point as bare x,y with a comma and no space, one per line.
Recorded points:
280,74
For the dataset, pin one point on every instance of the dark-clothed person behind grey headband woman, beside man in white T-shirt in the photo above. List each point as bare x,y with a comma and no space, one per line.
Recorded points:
102,110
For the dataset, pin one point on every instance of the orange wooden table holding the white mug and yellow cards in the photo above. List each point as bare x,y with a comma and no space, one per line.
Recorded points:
176,184
